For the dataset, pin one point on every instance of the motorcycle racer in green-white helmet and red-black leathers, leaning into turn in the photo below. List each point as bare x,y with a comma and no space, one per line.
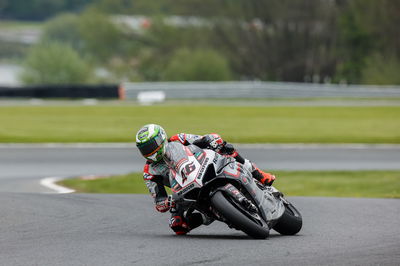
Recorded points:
152,142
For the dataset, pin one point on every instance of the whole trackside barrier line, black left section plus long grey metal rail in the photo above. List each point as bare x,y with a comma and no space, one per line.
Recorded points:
193,90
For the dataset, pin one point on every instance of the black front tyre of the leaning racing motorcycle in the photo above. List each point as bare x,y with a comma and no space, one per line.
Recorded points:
236,217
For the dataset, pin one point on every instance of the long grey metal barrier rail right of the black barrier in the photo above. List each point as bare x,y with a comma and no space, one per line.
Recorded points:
246,89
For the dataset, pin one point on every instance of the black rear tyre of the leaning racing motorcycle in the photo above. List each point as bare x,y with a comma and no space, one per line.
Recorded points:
290,223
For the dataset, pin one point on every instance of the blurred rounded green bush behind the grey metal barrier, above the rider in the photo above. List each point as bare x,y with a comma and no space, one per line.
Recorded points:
203,65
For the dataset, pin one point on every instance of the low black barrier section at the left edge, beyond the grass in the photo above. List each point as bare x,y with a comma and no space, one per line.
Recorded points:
61,91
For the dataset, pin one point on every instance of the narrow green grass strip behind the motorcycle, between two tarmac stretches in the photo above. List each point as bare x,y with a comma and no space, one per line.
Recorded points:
368,184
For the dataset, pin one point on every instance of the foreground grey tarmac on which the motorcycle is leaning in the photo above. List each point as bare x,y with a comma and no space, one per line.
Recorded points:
82,229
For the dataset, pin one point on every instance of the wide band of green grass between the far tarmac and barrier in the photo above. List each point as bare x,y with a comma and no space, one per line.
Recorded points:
240,124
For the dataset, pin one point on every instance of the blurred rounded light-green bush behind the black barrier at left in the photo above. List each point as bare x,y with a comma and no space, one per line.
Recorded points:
55,63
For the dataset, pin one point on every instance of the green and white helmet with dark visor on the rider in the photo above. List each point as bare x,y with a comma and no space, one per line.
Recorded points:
151,141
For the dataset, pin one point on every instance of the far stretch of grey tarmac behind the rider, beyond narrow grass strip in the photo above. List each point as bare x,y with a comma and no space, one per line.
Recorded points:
21,167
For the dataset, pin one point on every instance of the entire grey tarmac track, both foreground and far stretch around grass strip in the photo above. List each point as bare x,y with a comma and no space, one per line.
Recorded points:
41,228
